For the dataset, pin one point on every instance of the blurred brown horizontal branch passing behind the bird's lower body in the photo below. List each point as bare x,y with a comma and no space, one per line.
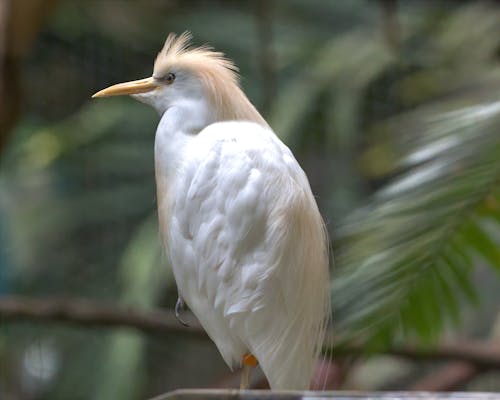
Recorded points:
87,313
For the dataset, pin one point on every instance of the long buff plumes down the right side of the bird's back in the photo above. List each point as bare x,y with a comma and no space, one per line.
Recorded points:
288,346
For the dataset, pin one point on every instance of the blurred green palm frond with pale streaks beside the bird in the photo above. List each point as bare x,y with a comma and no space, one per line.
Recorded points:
405,259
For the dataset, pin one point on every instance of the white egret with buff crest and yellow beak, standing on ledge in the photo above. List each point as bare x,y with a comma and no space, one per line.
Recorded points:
242,229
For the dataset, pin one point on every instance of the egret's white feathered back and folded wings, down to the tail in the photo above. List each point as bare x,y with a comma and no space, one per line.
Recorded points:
248,250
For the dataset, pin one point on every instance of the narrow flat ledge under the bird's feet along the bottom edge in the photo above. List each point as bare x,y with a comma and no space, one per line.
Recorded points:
232,394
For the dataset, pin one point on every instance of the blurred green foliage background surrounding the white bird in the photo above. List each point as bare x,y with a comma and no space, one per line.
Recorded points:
391,107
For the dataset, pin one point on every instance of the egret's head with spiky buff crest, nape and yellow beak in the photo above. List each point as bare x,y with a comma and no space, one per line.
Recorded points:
182,74
